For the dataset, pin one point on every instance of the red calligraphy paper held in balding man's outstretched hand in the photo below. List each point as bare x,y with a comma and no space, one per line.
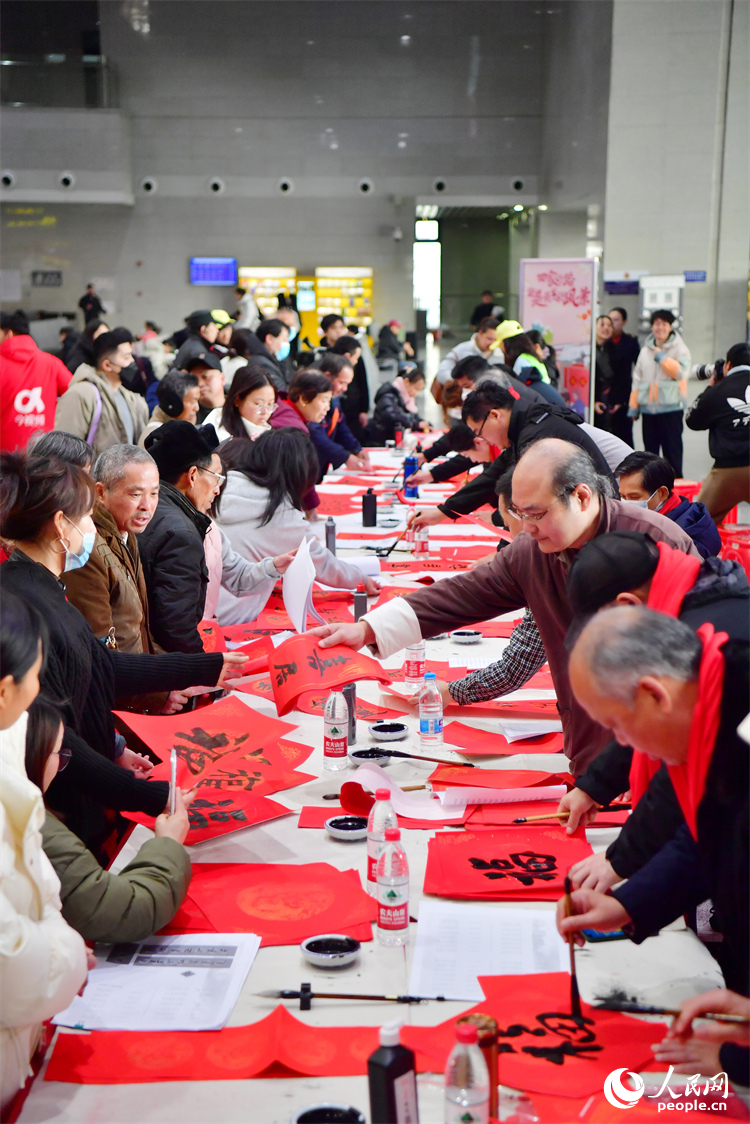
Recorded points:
301,665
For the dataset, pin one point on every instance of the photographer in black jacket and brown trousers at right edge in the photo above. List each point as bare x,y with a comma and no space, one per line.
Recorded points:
724,410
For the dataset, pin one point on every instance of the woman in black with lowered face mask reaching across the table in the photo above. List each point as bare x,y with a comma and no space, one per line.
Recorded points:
46,510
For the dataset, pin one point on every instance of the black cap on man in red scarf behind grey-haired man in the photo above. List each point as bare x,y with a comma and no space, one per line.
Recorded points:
610,565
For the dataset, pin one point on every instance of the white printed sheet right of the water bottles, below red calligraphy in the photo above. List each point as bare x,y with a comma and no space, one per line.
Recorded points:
457,942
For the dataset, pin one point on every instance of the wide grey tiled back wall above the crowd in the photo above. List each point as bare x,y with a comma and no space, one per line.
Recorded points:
324,94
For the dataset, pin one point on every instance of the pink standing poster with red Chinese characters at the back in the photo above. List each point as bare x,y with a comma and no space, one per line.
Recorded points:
557,297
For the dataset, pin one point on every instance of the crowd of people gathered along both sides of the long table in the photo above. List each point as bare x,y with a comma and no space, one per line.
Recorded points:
151,484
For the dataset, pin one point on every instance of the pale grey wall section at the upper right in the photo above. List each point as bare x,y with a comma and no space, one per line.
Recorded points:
677,162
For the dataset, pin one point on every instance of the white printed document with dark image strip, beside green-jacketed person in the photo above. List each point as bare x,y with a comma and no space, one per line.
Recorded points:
188,983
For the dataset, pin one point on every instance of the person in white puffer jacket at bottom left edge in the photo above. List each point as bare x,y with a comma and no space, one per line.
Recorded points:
44,962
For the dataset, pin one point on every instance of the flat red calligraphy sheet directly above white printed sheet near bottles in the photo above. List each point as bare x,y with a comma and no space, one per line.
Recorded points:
520,864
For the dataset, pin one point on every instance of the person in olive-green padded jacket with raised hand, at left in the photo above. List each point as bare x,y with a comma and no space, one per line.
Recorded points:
100,905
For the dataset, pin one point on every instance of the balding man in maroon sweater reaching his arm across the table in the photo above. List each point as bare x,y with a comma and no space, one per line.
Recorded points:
563,503
